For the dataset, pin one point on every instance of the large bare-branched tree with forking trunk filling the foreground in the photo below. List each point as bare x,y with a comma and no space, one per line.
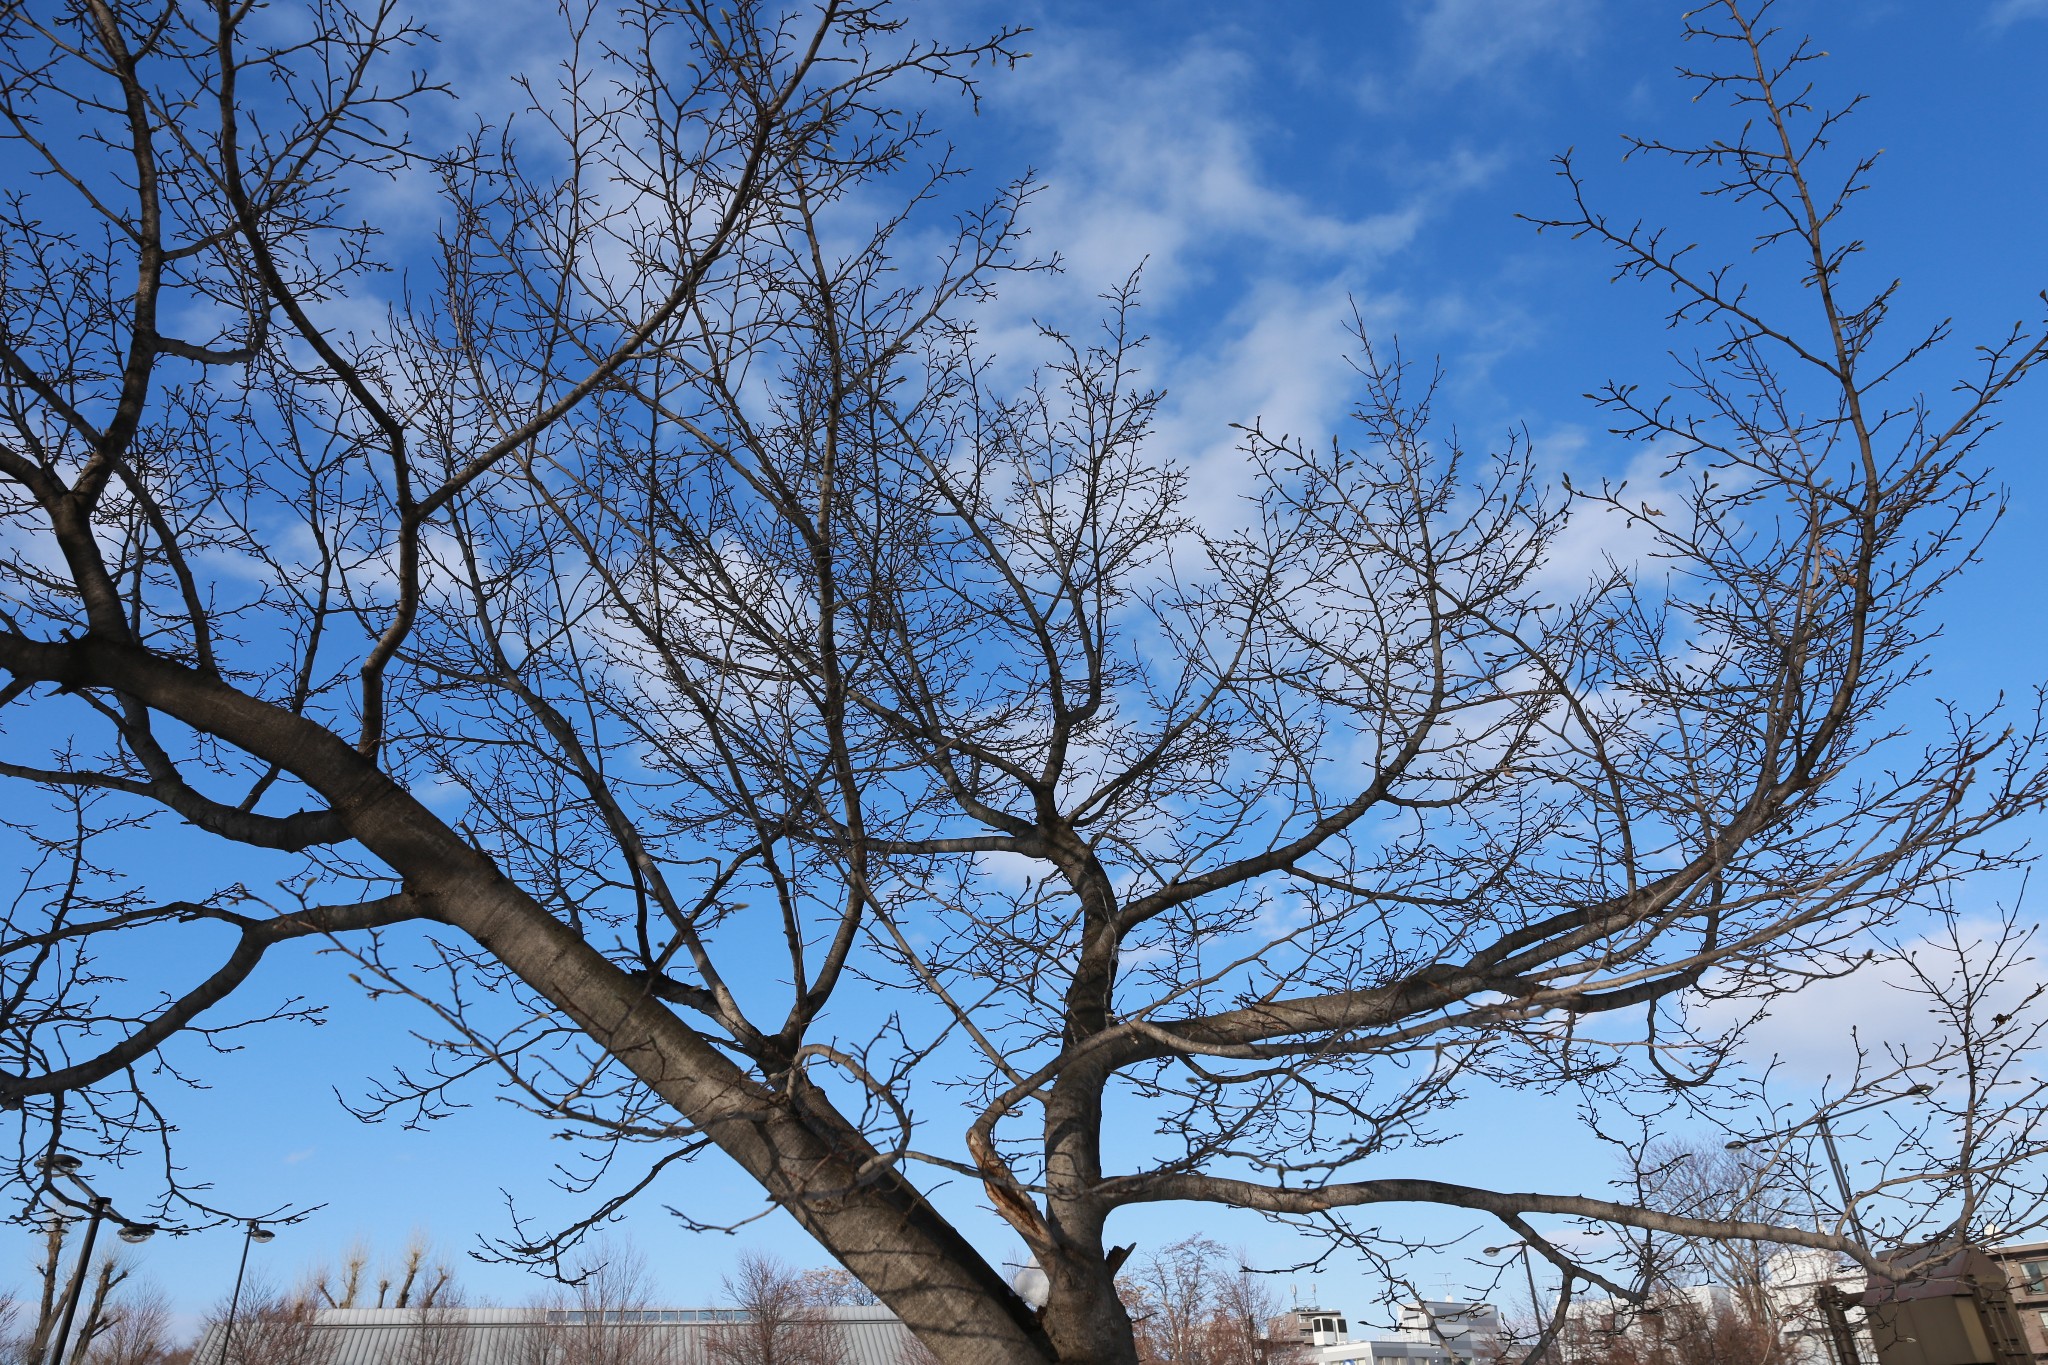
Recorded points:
671,580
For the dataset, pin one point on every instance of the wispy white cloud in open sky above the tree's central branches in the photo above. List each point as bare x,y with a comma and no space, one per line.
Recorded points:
1168,163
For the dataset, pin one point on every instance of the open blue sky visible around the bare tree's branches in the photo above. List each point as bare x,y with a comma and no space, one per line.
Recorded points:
1271,167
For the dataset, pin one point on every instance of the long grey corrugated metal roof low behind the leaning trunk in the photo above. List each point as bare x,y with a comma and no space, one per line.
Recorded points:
527,1337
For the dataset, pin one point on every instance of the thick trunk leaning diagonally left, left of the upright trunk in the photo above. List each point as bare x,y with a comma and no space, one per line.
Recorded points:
878,1227
